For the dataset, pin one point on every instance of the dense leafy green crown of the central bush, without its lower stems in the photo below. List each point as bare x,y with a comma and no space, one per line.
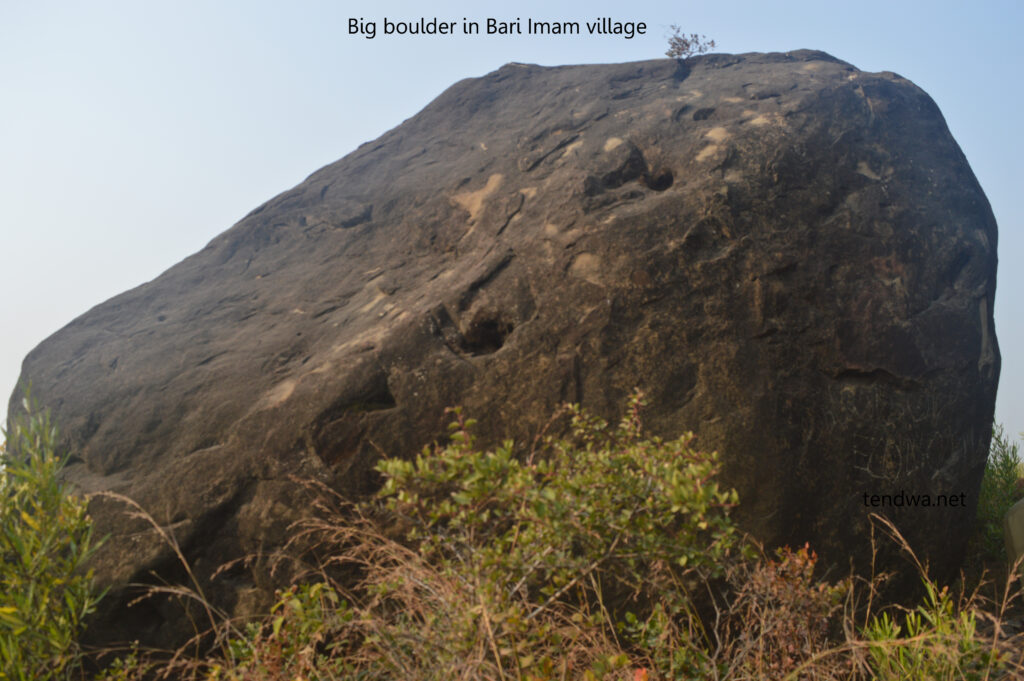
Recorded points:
607,501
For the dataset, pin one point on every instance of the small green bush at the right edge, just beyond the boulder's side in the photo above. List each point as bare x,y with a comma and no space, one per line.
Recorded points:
1002,487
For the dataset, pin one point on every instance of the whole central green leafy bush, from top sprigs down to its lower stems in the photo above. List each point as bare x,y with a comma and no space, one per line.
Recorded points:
605,529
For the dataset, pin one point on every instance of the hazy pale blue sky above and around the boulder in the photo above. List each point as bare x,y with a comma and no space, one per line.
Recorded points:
132,134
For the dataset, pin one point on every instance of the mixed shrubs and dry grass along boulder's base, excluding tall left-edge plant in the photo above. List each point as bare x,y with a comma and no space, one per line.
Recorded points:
605,555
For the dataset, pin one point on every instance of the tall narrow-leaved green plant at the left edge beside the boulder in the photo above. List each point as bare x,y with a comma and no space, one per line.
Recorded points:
46,540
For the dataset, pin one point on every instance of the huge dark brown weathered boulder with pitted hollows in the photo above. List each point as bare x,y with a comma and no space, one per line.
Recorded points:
791,257
